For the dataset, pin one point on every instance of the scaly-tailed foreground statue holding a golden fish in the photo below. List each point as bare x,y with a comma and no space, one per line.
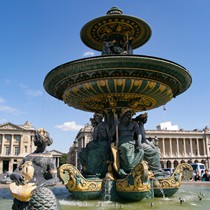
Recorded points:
34,175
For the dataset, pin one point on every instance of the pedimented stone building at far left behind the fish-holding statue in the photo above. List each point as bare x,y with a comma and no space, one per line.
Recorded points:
16,141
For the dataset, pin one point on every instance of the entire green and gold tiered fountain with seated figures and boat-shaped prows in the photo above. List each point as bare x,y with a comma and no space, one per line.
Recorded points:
110,85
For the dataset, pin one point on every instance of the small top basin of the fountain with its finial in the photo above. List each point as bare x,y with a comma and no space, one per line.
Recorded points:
115,24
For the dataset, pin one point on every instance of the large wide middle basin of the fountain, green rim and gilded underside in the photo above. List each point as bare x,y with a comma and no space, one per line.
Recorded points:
119,81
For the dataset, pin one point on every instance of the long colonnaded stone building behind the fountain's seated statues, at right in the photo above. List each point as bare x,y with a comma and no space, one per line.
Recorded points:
176,146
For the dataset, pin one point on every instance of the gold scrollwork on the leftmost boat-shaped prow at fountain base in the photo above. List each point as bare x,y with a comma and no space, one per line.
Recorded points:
74,181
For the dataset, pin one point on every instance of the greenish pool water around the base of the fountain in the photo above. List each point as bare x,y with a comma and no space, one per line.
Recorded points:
194,196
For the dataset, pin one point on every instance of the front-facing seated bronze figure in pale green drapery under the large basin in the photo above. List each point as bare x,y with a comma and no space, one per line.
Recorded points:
129,148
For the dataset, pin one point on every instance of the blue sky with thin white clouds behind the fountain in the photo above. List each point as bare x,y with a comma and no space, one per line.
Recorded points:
36,36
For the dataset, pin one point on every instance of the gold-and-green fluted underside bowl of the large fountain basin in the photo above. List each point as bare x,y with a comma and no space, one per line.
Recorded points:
137,94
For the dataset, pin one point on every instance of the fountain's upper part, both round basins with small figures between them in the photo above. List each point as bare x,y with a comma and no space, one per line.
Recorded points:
131,81
